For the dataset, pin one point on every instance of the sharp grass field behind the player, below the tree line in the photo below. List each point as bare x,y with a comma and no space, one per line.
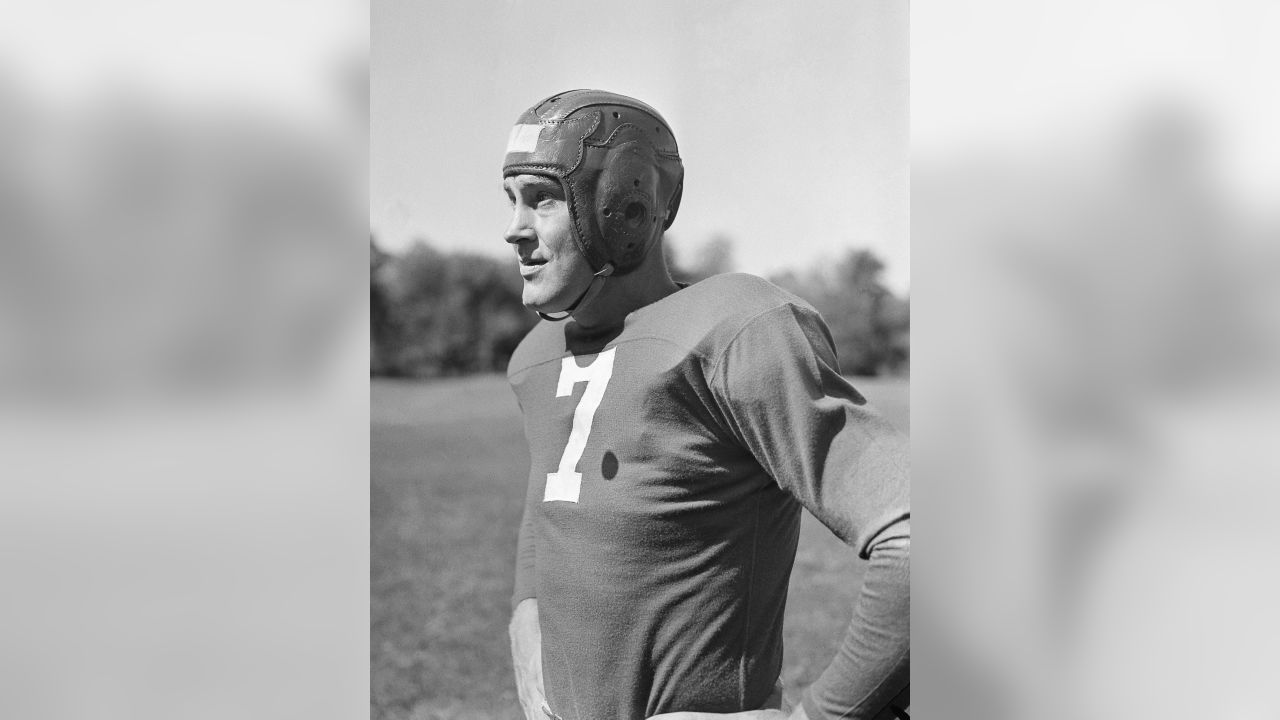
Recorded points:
449,476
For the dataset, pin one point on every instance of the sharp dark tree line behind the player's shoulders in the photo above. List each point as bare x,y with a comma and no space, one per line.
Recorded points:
437,313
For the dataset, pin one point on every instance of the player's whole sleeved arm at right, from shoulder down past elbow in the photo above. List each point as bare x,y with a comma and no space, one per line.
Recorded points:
781,391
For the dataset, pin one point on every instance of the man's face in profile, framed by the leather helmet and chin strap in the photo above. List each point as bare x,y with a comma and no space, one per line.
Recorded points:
556,274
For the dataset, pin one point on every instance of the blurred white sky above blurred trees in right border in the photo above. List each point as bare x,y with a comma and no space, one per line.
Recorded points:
1005,72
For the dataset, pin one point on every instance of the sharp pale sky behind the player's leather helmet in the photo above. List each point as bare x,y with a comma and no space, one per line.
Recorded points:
792,119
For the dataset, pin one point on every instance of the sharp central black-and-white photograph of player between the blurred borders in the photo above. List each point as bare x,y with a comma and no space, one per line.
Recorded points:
641,361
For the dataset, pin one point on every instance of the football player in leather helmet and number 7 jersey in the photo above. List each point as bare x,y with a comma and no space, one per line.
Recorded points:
675,435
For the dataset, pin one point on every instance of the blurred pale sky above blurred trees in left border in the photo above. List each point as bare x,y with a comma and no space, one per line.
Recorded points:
285,61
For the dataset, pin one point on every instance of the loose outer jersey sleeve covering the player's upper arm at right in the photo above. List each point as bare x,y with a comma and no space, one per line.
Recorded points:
781,393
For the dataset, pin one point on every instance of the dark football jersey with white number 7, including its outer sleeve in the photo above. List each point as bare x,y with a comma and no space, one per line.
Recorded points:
670,461
